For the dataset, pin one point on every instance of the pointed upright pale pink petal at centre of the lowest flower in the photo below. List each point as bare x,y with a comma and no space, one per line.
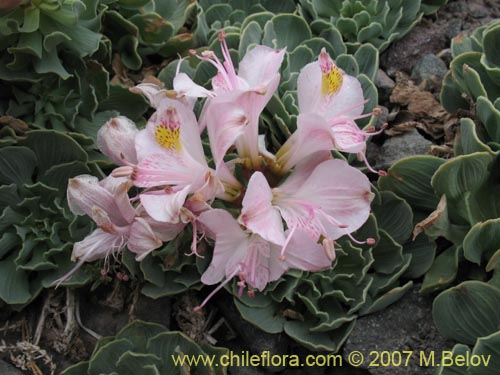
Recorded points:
258,213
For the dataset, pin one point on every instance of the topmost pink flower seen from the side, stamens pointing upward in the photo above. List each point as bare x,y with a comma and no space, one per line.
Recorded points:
232,117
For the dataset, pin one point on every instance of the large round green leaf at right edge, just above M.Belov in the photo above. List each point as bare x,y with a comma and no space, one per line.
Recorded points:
468,311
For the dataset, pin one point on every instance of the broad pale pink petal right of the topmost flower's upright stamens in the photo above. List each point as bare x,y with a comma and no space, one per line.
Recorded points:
260,65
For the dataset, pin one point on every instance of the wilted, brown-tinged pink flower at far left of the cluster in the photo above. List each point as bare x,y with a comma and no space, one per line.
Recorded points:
119,225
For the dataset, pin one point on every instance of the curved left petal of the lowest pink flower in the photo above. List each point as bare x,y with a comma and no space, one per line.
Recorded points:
230,244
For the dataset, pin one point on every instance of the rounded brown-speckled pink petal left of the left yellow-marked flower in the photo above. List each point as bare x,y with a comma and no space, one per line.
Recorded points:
116,140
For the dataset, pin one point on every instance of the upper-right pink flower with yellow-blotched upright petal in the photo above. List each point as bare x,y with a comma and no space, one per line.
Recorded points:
325,90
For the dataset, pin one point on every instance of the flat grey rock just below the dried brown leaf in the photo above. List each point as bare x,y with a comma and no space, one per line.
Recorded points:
395,148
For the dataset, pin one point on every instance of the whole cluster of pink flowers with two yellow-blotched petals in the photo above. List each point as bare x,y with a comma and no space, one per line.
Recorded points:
291,206
